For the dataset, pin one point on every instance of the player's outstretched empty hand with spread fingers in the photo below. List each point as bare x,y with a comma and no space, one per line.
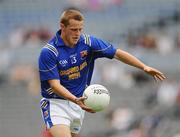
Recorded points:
155,73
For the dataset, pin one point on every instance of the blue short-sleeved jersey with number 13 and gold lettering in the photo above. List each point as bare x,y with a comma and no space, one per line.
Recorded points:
72,66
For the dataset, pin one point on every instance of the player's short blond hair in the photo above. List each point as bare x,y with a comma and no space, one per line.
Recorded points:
71,14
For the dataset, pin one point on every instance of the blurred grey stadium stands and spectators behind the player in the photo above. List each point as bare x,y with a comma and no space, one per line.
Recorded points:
149,29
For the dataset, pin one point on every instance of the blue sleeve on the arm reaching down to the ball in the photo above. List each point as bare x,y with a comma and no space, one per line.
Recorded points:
48,65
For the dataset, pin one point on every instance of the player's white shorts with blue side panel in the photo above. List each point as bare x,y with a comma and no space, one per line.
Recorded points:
58,111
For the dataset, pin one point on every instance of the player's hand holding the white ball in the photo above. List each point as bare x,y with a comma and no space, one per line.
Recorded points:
80,101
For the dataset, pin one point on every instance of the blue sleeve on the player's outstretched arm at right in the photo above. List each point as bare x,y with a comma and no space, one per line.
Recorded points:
102,48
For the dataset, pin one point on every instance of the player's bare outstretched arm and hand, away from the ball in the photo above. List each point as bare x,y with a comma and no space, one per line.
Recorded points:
133,61
